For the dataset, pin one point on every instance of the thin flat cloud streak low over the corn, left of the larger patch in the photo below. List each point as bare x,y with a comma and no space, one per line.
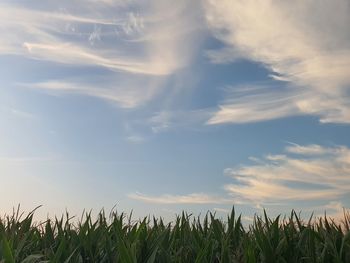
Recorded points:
195,198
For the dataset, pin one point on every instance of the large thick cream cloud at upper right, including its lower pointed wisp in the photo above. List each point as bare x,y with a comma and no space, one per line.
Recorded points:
305,43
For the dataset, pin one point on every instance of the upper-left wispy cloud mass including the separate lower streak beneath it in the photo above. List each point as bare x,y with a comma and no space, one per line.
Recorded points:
130,39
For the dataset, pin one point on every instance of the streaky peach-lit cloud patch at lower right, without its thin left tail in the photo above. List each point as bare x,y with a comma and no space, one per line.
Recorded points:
323,175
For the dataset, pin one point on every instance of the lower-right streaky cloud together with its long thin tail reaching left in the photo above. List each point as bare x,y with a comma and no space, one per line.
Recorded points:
311,173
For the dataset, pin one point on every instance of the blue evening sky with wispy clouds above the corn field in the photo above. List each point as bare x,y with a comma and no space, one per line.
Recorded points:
160,106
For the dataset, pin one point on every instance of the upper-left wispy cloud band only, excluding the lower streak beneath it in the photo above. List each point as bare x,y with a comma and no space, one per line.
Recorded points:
44,35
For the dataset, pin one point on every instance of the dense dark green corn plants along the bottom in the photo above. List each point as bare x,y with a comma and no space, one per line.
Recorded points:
116,238
